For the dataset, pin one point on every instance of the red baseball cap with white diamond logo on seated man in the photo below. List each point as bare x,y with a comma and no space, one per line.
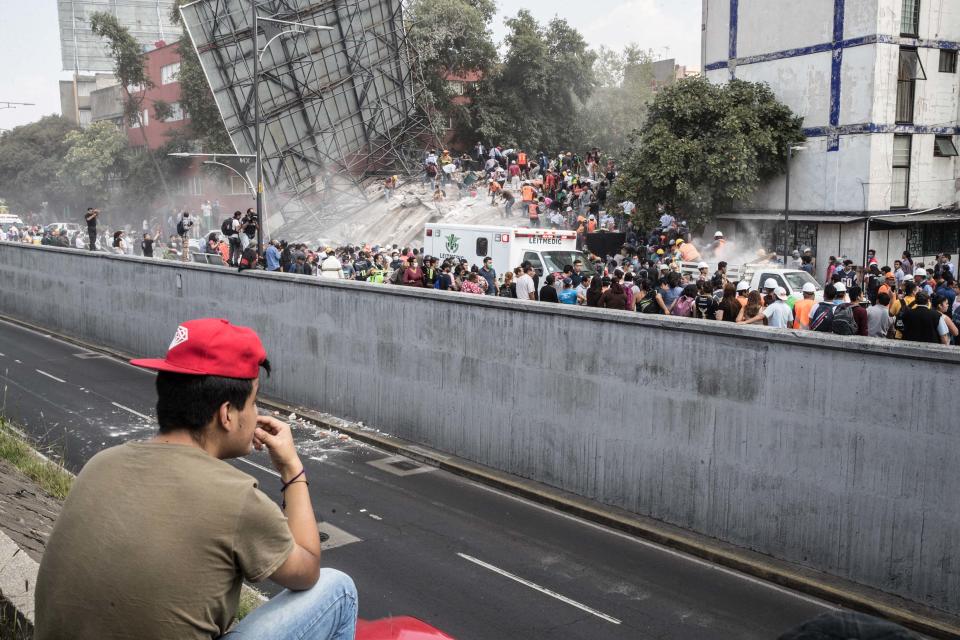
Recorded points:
211,347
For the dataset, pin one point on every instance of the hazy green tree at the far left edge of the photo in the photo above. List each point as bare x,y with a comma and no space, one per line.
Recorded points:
30,159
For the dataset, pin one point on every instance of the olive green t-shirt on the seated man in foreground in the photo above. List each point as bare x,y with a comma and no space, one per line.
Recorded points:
154,541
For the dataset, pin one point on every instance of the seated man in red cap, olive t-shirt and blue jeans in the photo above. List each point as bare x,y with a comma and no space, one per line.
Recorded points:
156,537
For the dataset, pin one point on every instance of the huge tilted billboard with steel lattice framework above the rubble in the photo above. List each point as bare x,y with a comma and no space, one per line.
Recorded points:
338,107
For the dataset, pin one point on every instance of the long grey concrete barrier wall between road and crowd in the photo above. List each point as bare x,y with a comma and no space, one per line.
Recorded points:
837,453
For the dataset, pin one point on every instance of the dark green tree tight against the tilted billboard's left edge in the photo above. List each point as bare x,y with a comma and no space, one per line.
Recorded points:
196,98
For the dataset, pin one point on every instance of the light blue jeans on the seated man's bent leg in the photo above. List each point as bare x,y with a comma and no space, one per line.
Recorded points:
328,611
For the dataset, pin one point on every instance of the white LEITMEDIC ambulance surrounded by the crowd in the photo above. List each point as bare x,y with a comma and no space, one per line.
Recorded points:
548,250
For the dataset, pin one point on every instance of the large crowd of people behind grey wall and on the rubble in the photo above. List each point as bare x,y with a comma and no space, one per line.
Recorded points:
644,275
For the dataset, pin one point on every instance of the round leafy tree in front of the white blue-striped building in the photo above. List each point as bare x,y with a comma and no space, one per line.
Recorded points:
705,146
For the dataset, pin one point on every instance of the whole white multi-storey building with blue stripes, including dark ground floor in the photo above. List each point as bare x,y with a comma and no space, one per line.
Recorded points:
877,86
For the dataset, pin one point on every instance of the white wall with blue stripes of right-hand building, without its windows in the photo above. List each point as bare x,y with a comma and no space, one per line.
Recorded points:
836,63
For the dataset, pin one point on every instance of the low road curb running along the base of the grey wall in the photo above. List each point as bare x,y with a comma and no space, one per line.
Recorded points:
928,621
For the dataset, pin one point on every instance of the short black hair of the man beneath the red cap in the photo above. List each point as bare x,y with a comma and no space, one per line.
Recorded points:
191,402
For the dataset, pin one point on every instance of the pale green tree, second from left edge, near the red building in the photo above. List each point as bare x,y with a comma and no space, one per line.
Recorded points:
92,164
